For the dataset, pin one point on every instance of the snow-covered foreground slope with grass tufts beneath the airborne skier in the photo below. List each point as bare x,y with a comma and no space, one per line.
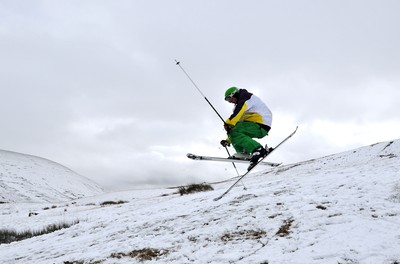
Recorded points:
343,208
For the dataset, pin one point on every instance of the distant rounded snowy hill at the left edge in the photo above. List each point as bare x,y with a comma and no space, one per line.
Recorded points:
26,178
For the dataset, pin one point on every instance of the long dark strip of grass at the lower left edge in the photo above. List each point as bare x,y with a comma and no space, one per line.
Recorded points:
9,235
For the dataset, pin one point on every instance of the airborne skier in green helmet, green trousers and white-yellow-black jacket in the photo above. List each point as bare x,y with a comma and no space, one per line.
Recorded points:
251,118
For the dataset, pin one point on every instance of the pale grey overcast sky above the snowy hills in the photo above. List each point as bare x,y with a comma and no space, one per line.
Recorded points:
93,84
